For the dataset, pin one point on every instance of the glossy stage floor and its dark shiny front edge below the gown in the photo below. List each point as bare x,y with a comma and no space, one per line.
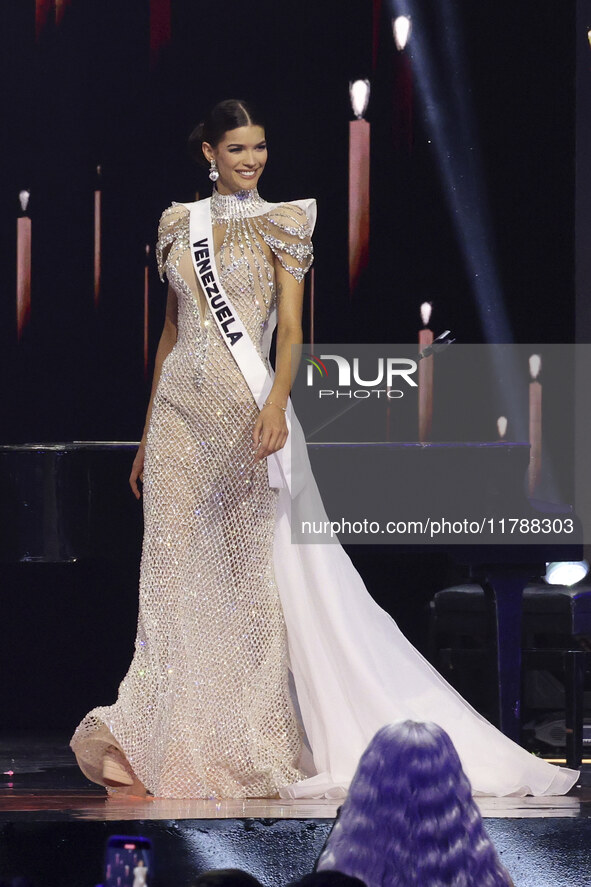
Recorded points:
54,825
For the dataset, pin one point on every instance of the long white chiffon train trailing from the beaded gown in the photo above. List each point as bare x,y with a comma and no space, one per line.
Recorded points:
354,671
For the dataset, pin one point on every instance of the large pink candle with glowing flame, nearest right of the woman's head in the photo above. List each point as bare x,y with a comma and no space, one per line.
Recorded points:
359,139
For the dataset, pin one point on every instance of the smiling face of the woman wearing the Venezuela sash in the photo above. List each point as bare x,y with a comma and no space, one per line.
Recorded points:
240,156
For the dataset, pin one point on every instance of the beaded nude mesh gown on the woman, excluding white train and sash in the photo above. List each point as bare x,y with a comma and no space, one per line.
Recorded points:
205,709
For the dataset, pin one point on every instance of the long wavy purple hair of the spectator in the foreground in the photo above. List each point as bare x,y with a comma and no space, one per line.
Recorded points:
410,819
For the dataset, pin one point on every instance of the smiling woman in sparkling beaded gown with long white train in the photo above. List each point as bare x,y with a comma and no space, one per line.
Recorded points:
227,603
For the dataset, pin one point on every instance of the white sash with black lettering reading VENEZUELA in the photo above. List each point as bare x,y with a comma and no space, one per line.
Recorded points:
232,329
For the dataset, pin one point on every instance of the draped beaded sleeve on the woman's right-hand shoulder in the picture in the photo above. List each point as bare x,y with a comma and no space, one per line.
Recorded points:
287,230
